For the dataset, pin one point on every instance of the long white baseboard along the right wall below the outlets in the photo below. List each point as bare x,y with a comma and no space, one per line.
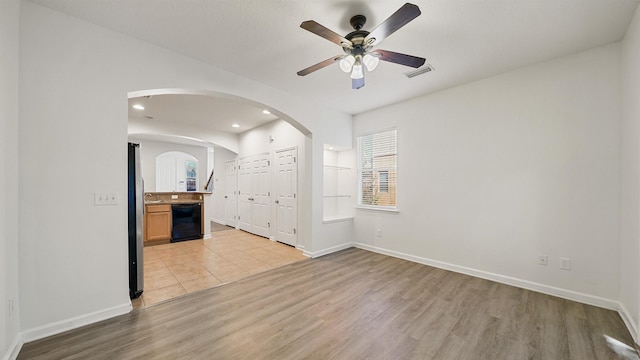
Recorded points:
525,284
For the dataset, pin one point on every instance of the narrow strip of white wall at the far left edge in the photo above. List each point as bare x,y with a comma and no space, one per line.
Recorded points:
9,27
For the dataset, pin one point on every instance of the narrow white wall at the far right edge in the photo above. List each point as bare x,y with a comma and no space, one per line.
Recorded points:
630,175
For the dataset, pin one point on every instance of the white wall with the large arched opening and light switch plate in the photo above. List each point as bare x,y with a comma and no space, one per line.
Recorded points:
73,255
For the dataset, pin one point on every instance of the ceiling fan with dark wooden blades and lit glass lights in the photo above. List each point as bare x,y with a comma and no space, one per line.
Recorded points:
358,45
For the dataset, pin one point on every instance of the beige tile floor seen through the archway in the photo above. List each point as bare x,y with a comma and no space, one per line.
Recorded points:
176,269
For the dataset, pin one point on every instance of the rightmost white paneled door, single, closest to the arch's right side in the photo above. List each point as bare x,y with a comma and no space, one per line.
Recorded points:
285,193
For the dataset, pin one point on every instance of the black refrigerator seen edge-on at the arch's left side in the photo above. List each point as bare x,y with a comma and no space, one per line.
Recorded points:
135,198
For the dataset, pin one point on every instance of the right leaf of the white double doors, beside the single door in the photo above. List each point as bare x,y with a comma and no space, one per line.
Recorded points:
261,194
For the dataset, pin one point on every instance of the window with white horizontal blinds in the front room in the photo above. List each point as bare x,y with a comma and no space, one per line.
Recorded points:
377,169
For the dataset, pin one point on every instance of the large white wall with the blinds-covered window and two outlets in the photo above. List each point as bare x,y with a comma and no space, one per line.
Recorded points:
496,172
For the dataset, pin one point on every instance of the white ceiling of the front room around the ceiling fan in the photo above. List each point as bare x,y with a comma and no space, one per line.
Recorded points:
464,40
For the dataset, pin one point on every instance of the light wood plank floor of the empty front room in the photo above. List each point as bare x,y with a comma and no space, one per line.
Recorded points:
353,304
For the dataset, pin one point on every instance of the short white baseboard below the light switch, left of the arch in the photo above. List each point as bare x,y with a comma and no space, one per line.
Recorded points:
73,323
